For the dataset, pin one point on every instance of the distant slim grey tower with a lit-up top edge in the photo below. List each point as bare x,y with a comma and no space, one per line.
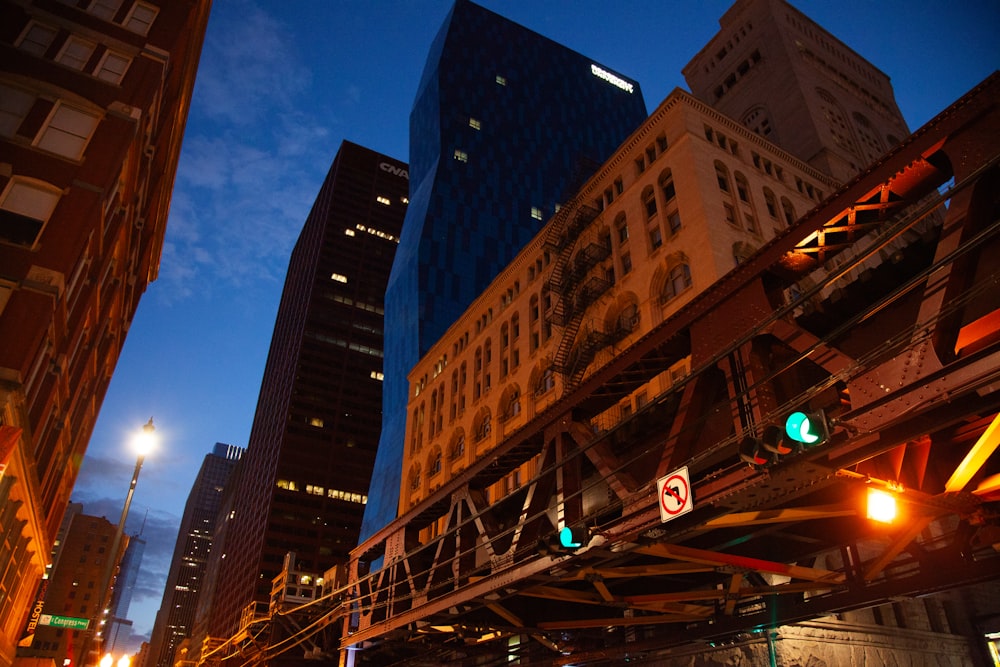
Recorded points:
183,587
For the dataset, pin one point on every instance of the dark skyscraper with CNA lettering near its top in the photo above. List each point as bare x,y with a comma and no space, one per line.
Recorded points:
303,482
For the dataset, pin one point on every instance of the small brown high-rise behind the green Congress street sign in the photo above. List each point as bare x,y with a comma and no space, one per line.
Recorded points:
74,591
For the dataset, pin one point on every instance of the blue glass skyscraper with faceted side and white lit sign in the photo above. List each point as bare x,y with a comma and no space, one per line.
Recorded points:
505,125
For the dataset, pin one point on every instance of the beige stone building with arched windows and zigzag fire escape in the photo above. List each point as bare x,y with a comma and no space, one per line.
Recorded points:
687,197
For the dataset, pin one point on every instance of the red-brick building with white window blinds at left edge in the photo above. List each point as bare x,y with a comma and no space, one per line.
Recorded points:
93,101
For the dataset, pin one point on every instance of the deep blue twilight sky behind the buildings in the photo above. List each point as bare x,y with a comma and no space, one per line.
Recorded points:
281,84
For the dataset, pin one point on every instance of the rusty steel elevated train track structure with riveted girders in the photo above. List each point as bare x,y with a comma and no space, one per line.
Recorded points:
899,347
